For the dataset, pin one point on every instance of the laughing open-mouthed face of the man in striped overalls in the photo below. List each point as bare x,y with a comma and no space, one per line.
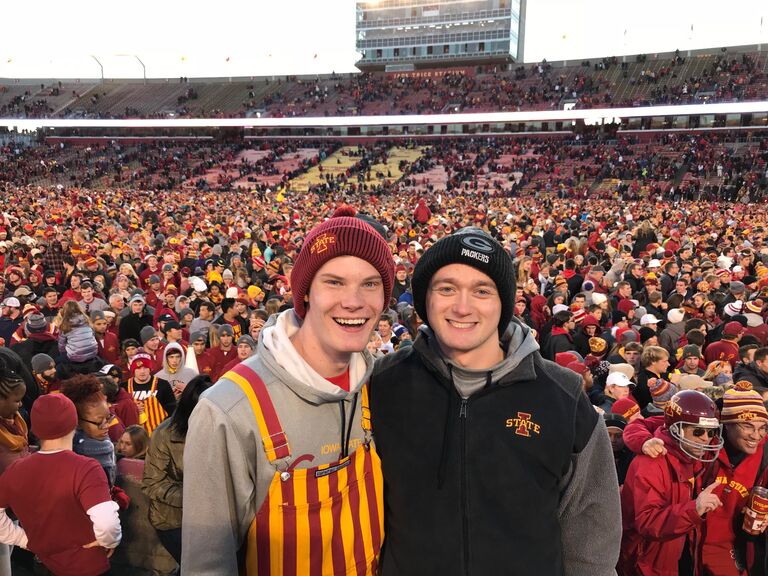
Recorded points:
346,298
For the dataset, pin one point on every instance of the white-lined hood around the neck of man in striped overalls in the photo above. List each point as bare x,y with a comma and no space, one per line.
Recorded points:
276,350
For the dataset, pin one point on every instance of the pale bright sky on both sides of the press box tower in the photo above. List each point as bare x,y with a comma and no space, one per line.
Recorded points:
55,39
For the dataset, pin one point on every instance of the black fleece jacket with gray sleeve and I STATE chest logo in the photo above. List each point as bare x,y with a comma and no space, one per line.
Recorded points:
518,479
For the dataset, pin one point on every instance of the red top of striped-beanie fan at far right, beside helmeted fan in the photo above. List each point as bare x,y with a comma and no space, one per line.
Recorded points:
718,535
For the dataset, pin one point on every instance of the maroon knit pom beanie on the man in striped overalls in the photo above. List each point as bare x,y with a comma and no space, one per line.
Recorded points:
341,235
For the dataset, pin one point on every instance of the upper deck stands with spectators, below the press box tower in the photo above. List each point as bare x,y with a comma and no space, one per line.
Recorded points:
540,86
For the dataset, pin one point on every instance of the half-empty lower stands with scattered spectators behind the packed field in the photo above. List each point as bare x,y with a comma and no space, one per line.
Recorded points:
720,167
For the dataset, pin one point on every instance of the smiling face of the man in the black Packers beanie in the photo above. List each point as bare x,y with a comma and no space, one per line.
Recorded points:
464,310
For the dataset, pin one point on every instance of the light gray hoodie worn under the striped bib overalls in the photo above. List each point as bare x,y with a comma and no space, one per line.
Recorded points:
226,472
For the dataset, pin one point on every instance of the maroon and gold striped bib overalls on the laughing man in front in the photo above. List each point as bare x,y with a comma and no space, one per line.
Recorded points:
325,520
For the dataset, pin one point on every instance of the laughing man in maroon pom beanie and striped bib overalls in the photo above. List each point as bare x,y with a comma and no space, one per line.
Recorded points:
279,469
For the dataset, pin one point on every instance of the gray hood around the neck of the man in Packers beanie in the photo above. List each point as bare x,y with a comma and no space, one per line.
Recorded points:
517,342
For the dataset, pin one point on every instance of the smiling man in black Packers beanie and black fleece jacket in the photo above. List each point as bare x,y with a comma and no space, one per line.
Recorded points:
494,460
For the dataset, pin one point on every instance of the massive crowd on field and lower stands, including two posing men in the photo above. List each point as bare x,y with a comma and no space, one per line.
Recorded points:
641,311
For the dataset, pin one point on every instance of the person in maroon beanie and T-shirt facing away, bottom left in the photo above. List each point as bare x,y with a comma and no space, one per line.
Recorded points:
80,528
